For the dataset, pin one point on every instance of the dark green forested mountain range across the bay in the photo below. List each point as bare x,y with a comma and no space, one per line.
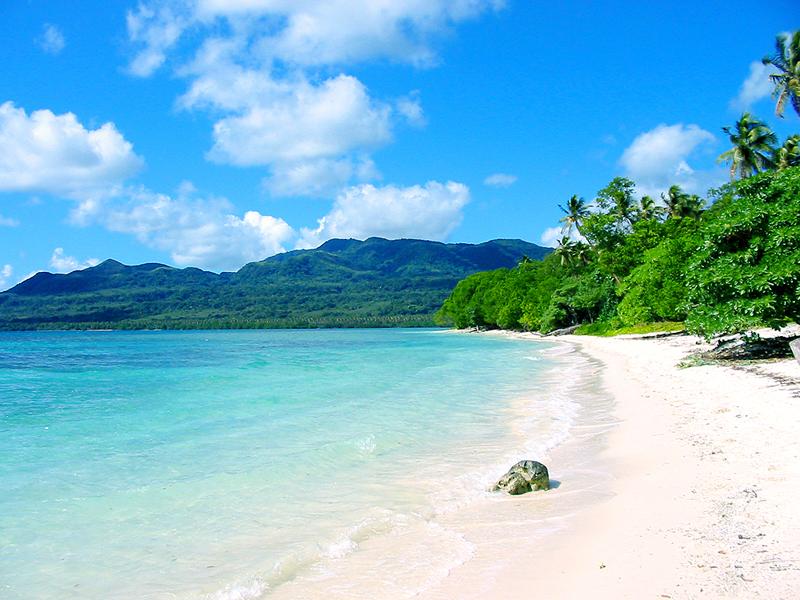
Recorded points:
343,283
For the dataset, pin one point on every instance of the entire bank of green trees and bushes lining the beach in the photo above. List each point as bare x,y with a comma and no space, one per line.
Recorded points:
728,269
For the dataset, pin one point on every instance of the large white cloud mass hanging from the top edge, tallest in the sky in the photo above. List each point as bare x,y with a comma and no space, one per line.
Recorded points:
256,67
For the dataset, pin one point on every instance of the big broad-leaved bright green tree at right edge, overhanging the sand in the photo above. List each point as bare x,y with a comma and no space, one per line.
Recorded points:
747,272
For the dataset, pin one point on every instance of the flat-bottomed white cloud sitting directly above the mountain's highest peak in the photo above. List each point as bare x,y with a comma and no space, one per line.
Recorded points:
431,211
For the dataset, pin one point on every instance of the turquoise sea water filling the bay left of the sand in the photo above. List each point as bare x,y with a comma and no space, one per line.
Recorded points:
223,464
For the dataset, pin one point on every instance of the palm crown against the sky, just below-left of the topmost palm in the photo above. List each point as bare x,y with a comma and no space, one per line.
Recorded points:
753,144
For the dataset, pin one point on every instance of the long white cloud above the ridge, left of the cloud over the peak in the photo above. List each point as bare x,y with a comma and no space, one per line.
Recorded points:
195,231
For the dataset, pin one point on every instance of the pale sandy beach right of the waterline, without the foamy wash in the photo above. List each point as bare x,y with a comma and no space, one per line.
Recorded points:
703,498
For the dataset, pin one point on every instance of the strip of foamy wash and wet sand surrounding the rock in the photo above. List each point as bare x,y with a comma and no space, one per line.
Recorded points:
459,525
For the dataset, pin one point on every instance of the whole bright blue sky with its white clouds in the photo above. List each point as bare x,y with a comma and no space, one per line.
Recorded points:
211,133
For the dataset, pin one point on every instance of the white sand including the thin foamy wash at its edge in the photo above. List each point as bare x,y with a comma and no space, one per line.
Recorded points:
674,483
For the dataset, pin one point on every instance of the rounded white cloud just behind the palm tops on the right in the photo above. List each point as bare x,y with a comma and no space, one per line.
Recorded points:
659,158
